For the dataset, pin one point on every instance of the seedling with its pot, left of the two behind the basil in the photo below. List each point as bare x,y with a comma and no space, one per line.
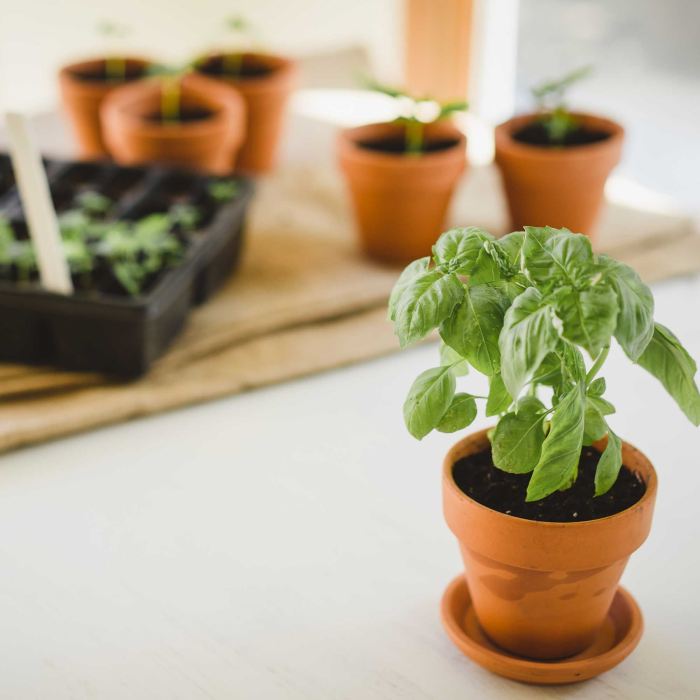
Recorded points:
401,175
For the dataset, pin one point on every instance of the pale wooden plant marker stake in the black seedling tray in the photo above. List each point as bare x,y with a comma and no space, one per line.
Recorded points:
33,187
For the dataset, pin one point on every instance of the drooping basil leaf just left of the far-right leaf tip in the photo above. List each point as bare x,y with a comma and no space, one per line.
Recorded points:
635,322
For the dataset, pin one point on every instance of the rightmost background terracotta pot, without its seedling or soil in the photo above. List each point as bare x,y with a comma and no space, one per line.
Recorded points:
559,187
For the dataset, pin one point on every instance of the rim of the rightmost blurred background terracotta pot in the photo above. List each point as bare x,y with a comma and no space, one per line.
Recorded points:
505,141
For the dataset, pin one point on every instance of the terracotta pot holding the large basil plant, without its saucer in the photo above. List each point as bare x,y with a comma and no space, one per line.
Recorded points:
542,589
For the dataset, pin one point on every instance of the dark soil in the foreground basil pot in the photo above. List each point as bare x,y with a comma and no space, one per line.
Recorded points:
477,477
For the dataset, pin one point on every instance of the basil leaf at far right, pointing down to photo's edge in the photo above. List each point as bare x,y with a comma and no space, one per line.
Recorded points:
667,360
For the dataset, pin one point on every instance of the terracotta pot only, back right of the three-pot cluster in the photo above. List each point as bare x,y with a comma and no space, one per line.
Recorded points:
265,96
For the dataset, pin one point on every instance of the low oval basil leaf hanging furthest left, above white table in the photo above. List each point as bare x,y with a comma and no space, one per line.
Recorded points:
428,400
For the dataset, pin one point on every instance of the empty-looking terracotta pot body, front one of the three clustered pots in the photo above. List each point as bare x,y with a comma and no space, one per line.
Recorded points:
209,144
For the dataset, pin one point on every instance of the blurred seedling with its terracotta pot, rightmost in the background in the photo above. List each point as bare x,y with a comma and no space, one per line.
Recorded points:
554,163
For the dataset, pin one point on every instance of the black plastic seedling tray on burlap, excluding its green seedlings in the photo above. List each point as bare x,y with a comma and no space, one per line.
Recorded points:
112,333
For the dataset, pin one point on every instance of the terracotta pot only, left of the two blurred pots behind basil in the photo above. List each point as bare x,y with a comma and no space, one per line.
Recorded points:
400,200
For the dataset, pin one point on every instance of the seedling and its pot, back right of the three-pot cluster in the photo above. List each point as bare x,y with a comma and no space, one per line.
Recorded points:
265,82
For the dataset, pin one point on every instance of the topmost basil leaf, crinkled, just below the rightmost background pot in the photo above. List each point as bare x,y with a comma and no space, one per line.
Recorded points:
554,256
